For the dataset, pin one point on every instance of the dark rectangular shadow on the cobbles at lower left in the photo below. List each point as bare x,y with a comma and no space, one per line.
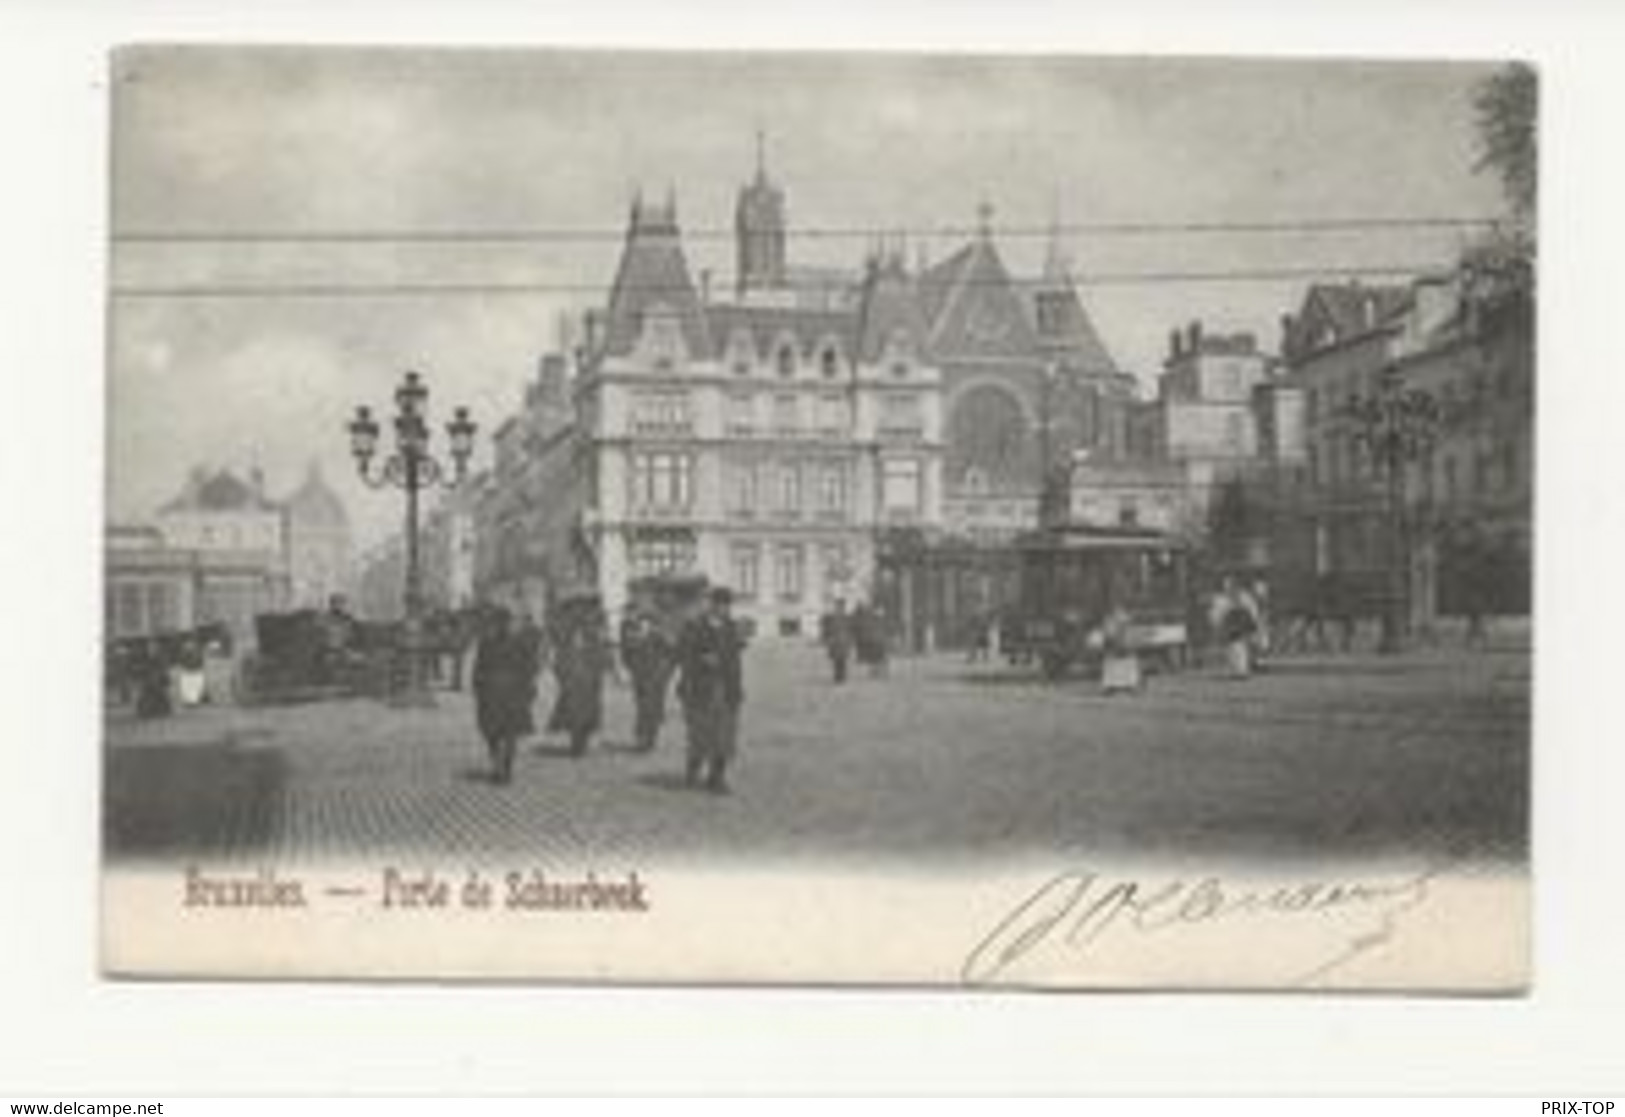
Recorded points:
188,799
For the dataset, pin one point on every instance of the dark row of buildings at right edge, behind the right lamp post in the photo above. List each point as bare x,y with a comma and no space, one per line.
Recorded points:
1462,342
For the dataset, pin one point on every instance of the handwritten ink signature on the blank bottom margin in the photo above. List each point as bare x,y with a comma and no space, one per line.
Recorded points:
1078,910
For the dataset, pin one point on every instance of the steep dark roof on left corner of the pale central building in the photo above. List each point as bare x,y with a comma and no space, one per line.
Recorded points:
654,276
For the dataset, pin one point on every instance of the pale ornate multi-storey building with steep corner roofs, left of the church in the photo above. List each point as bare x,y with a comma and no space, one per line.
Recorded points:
763,443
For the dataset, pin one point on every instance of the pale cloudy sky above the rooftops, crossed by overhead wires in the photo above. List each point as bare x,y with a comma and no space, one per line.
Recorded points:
214,142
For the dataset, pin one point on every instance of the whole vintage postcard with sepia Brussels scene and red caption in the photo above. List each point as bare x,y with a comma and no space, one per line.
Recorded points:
820,518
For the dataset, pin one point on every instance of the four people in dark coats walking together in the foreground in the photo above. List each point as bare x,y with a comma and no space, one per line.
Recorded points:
704,653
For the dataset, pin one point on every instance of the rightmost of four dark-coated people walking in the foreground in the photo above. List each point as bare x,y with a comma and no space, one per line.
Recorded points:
713,692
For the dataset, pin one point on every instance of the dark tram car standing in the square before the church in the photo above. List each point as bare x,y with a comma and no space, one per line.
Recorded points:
1073,578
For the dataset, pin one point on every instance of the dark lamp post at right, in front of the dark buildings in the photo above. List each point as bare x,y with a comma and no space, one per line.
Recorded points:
1395,427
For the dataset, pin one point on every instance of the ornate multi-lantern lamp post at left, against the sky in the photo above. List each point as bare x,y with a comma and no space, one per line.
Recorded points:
412,469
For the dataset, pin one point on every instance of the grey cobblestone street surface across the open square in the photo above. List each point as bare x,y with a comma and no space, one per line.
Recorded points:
942,762
